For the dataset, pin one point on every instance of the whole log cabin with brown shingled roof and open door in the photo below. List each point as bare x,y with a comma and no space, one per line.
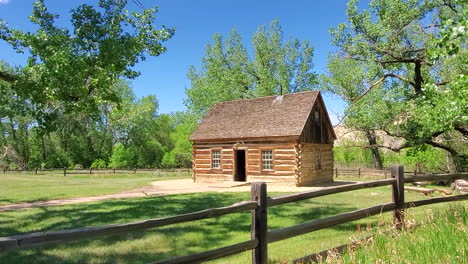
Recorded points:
286,138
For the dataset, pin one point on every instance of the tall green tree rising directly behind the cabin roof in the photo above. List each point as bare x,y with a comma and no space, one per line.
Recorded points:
228,71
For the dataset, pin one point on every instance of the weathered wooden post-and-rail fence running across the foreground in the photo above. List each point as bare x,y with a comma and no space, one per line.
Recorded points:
259,204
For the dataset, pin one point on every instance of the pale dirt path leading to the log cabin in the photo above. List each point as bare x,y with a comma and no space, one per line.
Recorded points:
158,188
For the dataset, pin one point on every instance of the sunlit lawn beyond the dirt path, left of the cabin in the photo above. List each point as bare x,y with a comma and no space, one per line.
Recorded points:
18,187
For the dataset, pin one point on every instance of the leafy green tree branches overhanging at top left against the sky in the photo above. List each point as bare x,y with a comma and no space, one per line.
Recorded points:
74,70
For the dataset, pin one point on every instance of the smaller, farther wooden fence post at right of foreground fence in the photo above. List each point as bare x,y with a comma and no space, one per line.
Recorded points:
398,196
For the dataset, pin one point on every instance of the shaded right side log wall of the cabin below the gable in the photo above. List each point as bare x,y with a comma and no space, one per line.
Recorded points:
308,173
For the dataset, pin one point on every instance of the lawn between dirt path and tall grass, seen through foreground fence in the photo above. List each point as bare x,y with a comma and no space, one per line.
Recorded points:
175,240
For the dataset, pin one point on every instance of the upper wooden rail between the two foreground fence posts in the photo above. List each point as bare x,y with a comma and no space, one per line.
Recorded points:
288,198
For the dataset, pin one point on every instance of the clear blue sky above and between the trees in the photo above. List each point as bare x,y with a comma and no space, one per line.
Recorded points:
195,23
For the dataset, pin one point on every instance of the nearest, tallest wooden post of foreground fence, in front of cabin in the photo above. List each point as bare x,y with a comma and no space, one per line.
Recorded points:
259,226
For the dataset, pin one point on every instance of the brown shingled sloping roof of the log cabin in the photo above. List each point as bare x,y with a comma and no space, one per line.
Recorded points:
271,116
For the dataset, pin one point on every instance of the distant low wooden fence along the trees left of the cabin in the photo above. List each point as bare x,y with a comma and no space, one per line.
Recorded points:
65,171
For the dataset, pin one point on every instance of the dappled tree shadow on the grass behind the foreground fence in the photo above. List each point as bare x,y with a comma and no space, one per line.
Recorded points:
175,240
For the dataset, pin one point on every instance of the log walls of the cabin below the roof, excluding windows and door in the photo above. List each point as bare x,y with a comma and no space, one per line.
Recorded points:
293,162
